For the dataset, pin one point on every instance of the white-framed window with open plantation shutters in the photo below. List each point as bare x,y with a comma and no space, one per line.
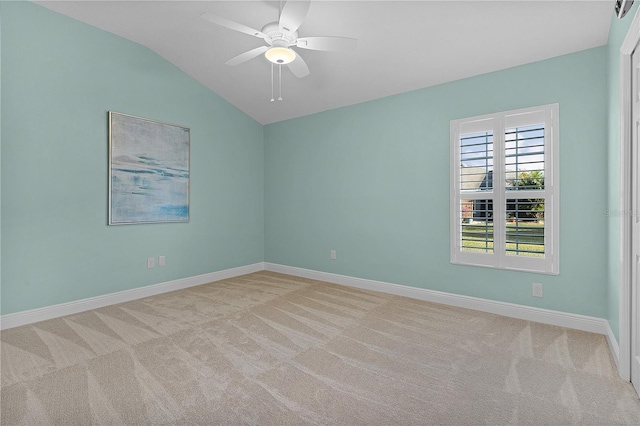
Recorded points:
504,198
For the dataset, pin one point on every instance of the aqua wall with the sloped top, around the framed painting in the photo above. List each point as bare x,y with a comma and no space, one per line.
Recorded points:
59,79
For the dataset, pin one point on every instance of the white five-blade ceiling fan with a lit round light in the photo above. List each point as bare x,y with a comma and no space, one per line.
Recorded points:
280,36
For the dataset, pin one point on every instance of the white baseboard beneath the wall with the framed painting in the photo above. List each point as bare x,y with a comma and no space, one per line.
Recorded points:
55,311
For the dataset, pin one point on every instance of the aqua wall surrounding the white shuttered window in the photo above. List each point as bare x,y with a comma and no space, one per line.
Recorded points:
372,182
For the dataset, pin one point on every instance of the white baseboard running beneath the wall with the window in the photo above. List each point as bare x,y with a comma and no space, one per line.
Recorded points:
545,316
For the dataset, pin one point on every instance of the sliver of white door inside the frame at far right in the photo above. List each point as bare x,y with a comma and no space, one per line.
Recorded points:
634,217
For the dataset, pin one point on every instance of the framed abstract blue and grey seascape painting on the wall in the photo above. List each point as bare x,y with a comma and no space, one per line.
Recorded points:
148,171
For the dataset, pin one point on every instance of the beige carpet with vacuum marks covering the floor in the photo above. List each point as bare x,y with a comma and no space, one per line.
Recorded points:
272,349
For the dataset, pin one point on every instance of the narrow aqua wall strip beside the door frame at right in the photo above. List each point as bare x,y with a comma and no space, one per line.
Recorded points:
617,33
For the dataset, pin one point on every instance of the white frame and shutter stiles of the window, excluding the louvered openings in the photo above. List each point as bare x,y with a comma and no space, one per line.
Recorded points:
497,123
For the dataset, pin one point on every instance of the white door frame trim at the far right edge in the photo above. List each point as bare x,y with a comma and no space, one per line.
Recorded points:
626,122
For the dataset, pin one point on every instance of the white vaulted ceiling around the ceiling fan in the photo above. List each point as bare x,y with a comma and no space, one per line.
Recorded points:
402,46
